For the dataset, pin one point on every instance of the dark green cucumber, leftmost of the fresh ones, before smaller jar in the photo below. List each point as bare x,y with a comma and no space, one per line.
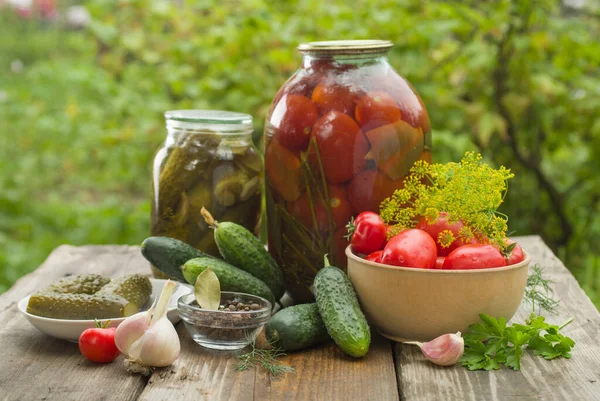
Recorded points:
169,254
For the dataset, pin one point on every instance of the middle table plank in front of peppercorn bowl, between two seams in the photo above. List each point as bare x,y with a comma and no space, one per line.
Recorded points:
322,373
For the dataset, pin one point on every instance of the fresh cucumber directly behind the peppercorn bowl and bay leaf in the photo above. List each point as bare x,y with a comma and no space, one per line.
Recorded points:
230,277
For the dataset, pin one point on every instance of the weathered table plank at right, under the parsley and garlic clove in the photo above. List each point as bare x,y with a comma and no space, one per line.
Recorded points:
561,379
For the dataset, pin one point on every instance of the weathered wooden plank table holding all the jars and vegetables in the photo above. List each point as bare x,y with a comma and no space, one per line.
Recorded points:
34,366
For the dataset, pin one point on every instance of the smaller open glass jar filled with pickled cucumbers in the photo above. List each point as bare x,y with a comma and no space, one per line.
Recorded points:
208,159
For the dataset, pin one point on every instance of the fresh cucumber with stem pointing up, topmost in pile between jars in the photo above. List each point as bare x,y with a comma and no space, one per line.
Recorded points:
241,248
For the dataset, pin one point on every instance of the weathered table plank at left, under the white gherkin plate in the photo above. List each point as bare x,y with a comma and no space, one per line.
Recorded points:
34,366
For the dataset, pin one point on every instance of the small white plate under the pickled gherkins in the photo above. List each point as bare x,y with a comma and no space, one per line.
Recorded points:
70,330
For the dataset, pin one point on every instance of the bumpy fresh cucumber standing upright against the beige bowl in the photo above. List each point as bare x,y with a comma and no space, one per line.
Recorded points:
340,311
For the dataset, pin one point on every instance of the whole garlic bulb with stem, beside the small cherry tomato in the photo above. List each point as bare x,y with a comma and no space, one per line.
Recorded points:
148,339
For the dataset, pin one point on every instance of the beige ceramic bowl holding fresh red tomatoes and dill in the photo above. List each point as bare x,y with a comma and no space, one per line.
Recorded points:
406,304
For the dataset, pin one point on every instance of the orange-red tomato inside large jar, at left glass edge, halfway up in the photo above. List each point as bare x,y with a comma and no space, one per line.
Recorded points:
284,171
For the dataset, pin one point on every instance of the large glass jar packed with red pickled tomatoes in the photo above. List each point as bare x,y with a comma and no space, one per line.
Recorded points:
340,136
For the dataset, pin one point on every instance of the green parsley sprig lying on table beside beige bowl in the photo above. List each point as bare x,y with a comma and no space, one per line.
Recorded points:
490,345
